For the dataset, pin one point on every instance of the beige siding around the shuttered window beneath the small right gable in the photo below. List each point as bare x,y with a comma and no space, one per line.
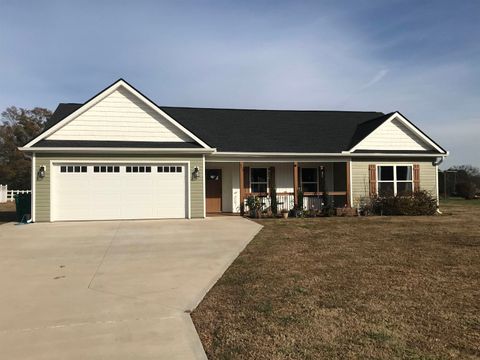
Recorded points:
360,178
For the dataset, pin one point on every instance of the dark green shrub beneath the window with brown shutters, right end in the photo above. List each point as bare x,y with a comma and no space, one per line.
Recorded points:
418,203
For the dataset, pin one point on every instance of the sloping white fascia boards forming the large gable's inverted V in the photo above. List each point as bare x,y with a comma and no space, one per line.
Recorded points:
89,104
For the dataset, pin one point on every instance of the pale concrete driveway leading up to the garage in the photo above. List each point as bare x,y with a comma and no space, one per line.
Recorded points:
111,290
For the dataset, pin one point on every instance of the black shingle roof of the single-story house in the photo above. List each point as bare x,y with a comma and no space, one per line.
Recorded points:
237,130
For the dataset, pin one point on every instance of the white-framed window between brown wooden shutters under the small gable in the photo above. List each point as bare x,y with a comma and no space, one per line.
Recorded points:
394,179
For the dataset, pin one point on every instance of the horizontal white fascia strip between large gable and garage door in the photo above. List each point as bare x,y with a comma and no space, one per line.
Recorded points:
118,150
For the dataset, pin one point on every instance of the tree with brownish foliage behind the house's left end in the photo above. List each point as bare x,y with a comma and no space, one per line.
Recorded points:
18,126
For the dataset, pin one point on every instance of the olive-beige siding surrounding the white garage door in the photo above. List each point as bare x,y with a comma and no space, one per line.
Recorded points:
42,192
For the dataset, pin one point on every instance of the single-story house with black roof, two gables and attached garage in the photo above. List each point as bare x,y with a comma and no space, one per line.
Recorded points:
121,156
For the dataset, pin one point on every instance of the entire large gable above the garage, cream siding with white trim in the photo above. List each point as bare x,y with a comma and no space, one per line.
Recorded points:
118,113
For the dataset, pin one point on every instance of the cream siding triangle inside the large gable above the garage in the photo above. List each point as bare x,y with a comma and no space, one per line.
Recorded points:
121,116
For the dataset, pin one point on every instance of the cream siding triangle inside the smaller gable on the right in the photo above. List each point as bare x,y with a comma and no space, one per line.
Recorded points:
393,135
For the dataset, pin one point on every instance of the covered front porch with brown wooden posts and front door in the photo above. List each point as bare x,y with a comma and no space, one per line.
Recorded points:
229,184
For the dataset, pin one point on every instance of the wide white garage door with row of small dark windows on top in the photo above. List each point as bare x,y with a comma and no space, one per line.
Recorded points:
118,191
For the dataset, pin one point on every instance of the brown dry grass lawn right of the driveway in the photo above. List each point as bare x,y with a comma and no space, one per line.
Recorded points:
351,288
